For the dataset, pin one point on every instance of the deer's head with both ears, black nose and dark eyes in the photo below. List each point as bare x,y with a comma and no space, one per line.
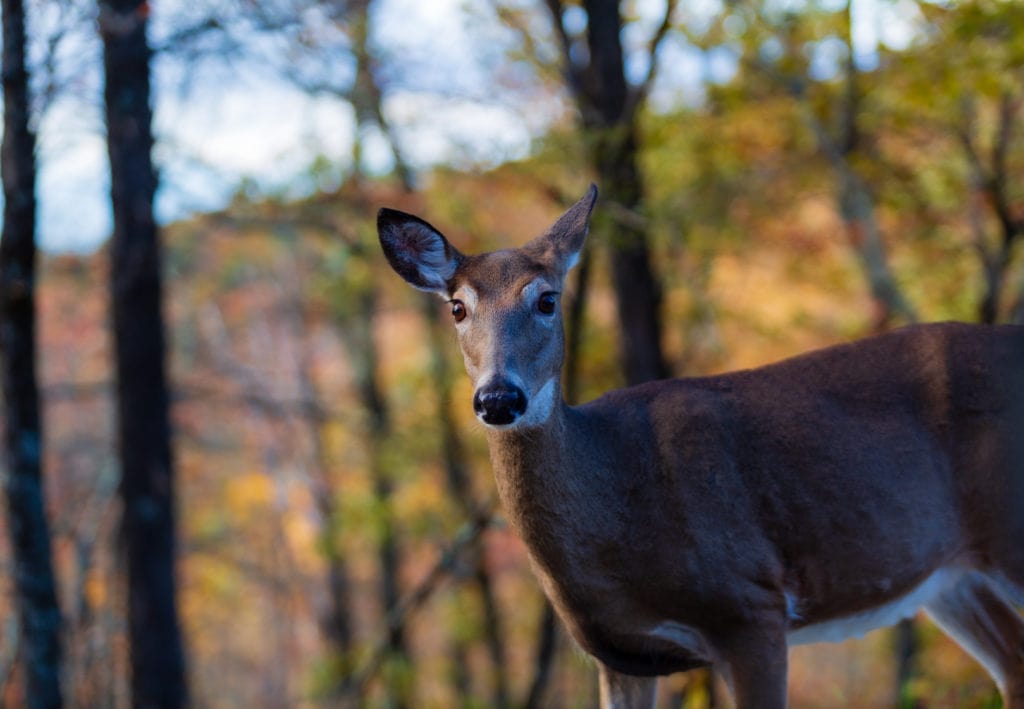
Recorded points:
506,307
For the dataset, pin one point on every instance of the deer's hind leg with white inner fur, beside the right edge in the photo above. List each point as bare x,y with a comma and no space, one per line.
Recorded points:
989,629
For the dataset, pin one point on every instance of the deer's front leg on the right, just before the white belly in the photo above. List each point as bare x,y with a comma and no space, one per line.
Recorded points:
756,663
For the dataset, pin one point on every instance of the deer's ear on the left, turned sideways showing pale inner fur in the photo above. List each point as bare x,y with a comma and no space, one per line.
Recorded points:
417,252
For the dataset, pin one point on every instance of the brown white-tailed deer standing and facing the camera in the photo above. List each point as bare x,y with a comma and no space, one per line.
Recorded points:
718,521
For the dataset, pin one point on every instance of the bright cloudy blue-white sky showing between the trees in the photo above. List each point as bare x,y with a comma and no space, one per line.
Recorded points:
234,116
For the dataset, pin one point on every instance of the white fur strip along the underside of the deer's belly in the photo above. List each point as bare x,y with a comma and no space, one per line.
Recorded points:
883,616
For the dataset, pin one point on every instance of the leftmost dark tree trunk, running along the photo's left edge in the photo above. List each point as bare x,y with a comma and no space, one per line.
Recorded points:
30,538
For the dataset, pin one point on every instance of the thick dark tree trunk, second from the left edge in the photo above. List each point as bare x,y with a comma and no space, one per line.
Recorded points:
144,427
